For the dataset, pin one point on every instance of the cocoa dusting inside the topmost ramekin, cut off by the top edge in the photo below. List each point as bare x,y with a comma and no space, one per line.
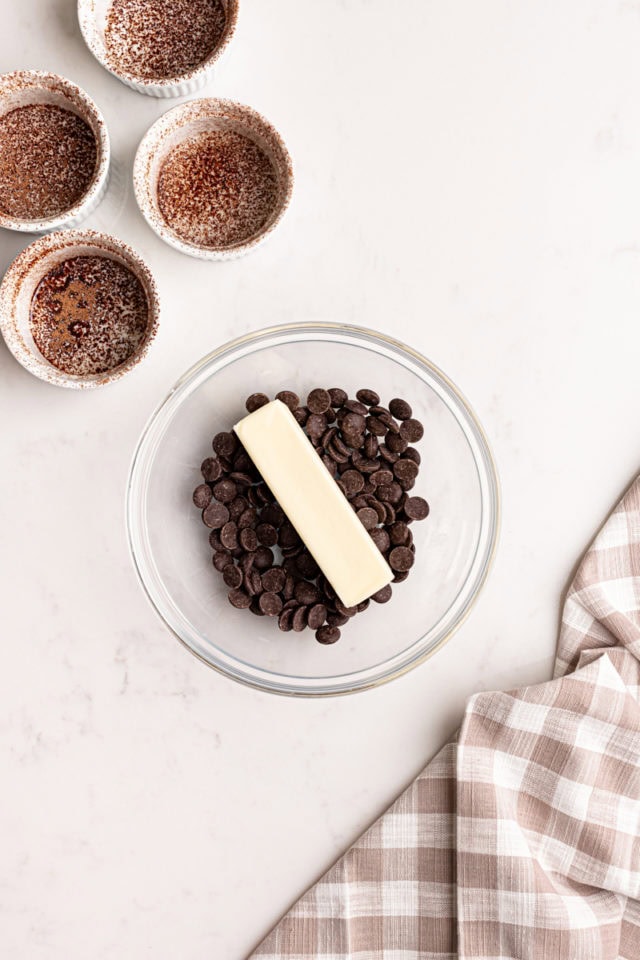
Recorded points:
160,39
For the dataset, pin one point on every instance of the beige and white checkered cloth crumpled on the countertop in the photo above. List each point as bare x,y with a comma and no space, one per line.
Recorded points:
522,838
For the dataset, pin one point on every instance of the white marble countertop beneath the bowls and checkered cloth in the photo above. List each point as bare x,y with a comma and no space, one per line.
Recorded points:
467,179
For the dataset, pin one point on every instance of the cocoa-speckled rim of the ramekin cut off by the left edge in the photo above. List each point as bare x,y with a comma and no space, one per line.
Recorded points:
40,79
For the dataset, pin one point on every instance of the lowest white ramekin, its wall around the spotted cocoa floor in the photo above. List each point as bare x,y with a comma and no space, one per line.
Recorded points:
26,272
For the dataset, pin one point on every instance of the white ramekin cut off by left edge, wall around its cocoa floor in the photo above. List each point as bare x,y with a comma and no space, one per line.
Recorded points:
24,87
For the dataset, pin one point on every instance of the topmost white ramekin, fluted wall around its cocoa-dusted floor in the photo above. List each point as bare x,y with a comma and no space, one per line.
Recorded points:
92,16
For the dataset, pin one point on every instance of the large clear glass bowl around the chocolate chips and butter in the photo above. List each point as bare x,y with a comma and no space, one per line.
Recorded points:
454,545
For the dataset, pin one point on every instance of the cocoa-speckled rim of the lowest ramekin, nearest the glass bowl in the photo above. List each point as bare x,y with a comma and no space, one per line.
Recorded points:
17,271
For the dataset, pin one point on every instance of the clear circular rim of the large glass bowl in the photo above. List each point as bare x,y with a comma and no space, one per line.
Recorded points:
281,684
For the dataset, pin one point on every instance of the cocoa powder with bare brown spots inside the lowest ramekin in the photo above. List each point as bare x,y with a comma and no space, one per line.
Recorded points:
89,315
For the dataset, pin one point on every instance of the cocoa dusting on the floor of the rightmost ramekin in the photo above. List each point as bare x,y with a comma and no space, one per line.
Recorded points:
217,189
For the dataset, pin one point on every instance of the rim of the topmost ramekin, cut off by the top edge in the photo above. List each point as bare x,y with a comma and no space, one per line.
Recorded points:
163,85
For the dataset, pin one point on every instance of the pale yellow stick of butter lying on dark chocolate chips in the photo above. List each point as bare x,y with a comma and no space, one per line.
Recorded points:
313,503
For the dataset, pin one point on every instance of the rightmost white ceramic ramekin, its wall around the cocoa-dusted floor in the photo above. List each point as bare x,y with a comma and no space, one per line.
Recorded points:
188,120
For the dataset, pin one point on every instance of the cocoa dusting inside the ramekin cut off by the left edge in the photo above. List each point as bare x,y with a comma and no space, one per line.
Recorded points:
48,158
